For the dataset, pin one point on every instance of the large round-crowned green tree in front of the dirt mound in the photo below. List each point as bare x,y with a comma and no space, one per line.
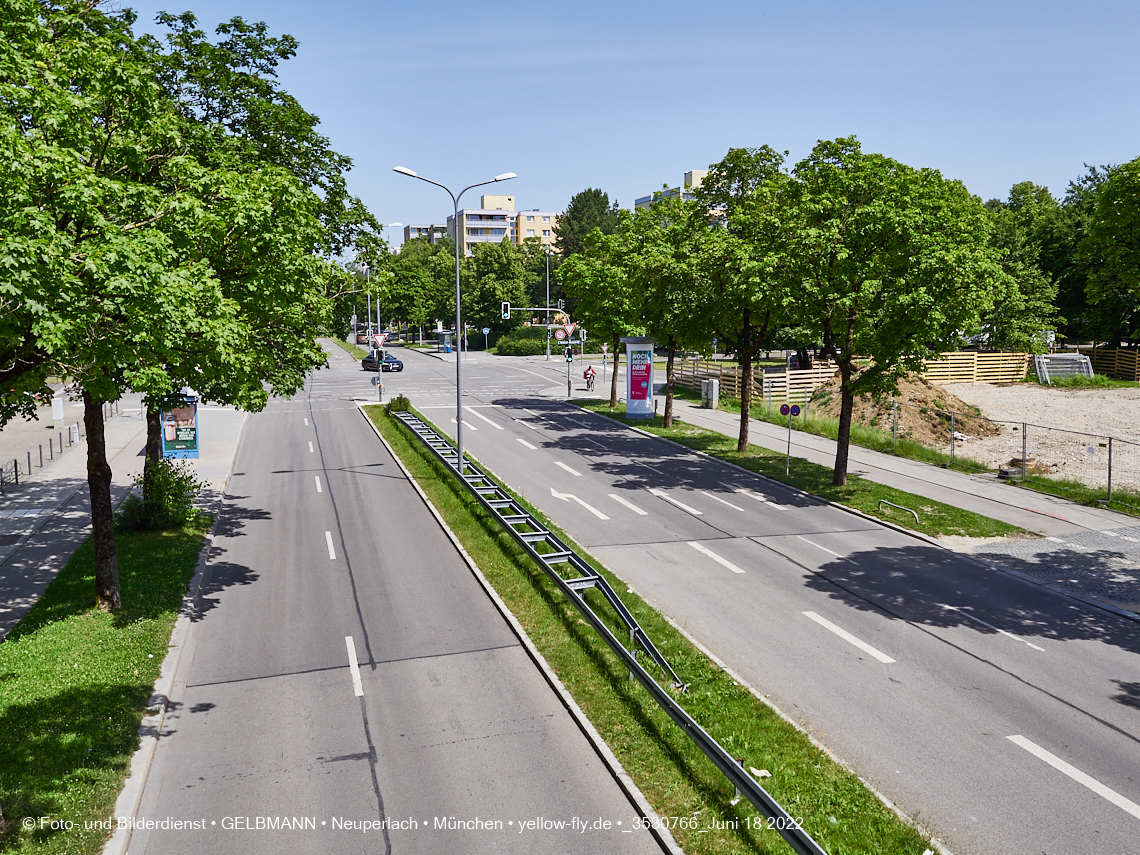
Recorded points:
890,263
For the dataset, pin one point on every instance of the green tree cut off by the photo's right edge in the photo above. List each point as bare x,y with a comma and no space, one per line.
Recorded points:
1112,251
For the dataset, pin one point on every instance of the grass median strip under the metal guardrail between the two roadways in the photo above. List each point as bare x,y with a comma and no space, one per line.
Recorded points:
837,810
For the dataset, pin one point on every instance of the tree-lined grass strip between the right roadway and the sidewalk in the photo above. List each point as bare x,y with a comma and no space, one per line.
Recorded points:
935,518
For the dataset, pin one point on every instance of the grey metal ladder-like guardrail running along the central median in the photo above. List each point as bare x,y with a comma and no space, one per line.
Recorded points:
530,533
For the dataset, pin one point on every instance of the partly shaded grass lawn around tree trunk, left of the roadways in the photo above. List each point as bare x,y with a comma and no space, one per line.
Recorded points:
76,683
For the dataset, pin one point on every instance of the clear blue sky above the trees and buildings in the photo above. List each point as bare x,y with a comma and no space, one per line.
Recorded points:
628,96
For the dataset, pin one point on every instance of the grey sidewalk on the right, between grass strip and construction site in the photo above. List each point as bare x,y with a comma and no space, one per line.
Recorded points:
1089,553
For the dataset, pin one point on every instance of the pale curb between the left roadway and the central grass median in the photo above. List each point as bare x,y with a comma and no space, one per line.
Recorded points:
593,737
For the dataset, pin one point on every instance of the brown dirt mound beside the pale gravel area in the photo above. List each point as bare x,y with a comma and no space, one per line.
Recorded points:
924,412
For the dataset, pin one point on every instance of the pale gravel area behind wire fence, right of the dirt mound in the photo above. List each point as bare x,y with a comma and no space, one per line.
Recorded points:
1068,434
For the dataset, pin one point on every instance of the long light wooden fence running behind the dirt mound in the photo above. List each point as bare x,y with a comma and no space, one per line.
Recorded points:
796,387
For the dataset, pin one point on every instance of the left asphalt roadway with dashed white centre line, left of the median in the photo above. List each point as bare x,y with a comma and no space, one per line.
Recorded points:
351,687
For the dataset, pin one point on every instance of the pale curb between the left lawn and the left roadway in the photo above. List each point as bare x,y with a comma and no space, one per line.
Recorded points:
150,731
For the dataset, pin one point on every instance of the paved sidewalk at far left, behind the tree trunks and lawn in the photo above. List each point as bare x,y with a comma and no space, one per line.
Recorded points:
47,517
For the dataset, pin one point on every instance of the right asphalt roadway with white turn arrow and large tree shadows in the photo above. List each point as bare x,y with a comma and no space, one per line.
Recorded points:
1001,715
